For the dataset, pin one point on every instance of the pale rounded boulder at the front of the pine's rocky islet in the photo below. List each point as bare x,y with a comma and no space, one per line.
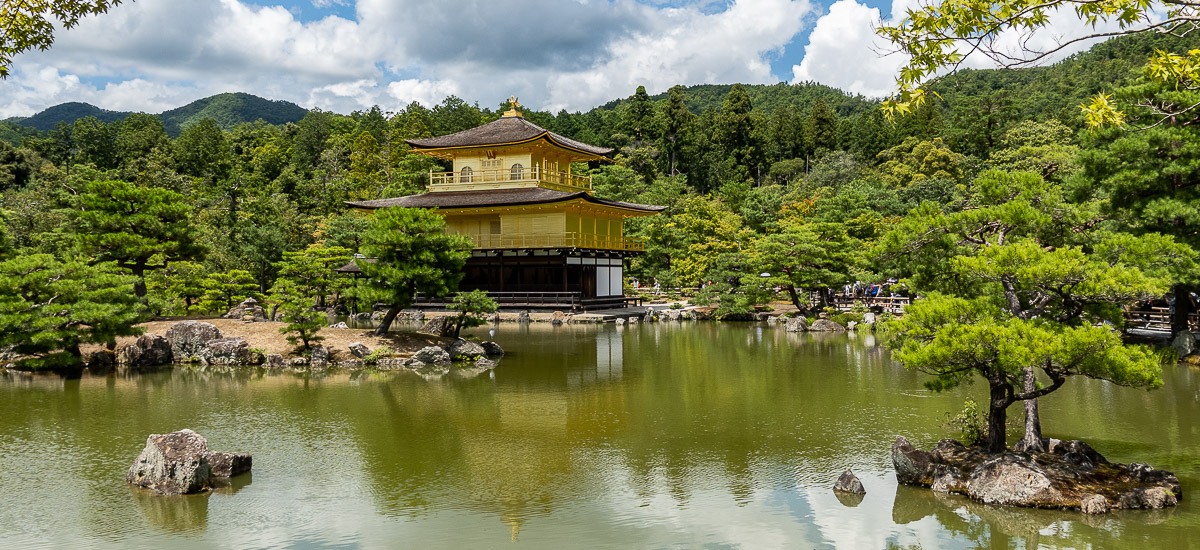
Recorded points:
1013,480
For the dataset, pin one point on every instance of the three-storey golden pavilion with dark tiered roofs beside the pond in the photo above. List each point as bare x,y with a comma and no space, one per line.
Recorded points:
542,240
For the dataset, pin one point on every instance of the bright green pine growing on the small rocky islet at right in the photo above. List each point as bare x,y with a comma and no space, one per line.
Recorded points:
1015,290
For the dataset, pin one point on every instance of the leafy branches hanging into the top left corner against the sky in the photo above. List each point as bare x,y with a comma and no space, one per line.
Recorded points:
27,25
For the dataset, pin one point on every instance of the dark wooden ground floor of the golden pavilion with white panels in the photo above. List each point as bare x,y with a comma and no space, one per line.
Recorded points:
550,279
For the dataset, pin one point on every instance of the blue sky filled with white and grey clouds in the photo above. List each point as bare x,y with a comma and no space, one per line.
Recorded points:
345,56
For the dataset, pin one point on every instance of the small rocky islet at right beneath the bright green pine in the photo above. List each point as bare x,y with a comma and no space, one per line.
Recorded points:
1070,476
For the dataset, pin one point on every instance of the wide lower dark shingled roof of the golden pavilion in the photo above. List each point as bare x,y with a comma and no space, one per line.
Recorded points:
495,198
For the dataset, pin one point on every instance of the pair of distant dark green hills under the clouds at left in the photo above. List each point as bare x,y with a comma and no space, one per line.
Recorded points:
229,110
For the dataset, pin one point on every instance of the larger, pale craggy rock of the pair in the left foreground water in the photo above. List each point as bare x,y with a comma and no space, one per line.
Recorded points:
173,464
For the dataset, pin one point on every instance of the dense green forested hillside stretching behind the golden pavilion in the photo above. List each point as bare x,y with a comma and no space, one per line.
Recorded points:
797,182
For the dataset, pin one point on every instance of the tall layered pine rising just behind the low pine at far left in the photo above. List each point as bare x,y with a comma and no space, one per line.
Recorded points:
135,226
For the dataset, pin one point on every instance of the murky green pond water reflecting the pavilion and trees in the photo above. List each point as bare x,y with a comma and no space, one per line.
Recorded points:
692,435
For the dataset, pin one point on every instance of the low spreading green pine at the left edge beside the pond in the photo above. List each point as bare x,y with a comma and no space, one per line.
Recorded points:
50,308
